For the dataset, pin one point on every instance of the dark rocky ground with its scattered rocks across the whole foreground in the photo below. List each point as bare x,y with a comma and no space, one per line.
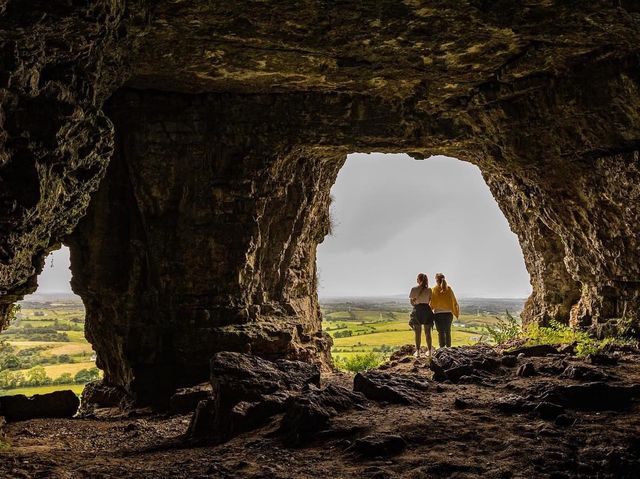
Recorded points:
474,412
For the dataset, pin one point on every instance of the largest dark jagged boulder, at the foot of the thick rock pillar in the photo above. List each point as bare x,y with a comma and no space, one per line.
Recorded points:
246,392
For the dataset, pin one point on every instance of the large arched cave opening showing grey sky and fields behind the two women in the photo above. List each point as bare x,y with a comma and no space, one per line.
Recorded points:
393,217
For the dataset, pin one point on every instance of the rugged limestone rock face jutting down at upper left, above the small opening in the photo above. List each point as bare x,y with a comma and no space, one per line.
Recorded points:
58,63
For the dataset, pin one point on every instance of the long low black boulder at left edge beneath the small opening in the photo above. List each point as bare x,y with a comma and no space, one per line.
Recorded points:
55,404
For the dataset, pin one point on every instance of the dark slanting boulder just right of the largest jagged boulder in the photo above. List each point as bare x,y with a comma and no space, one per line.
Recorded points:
311,412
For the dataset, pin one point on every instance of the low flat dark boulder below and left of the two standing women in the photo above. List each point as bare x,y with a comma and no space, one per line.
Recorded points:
394,388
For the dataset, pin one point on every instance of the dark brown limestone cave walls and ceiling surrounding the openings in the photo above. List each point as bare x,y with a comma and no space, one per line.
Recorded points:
185,152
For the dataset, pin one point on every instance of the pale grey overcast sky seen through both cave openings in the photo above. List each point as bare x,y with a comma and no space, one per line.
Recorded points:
393,218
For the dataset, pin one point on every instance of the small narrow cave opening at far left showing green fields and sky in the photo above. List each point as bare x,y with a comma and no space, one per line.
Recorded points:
44,349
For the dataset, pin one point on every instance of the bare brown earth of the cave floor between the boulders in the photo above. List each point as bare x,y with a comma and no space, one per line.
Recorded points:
445,438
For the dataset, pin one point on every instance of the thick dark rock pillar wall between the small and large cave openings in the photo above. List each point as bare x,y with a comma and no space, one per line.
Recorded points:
201,238
